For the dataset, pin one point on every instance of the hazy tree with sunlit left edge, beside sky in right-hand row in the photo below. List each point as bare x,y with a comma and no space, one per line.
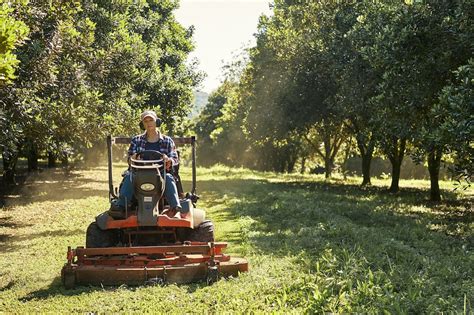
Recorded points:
292,82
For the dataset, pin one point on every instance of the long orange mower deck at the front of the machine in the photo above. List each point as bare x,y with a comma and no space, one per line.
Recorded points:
193,261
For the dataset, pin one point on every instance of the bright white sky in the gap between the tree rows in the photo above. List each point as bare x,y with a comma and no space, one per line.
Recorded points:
222,27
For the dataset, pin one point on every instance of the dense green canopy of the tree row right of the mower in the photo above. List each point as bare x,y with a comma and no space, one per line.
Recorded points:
323,73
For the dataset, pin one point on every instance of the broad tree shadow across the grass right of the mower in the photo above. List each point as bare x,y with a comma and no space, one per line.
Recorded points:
417,245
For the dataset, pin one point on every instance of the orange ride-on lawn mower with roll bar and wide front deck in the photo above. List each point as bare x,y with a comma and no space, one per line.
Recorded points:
144,243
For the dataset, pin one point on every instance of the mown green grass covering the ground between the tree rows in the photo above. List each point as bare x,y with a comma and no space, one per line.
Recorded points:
313,246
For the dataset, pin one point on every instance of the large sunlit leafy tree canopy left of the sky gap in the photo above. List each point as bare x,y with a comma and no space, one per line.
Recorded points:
88,70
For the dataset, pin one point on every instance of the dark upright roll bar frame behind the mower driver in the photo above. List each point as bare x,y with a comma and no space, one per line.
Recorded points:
179,141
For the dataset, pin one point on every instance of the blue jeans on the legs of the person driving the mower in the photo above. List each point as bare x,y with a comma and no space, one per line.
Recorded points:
126,191
